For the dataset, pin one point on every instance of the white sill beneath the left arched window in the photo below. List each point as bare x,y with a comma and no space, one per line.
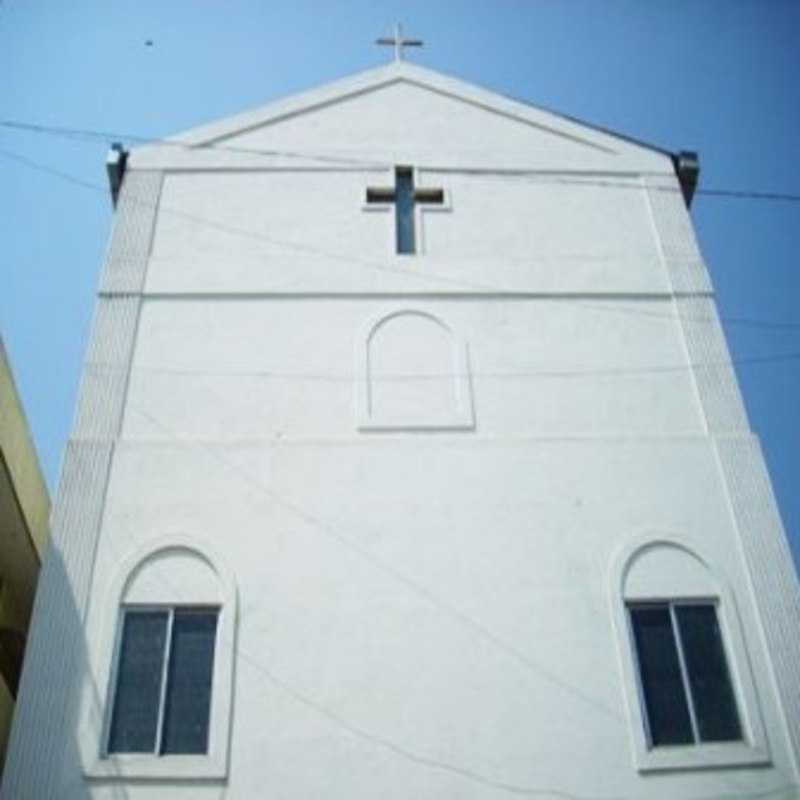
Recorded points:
144,766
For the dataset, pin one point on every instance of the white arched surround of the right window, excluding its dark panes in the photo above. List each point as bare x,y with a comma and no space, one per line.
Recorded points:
666,570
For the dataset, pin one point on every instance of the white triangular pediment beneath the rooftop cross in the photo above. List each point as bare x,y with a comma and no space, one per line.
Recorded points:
403,113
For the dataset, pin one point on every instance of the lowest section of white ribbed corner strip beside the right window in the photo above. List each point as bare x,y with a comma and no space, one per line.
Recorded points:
770,564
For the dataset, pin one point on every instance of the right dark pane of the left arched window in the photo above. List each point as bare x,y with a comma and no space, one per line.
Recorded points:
188,699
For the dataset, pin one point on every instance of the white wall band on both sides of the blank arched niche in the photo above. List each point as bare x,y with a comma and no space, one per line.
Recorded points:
264,368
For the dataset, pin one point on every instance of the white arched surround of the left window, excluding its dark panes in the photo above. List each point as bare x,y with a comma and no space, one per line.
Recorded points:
175,572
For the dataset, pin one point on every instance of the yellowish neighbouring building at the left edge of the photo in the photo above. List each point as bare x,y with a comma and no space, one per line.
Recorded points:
24,511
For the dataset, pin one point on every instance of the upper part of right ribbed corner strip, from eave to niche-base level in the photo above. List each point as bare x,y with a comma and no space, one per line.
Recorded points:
706,347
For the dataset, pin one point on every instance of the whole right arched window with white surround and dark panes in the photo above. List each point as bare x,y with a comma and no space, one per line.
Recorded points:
691,697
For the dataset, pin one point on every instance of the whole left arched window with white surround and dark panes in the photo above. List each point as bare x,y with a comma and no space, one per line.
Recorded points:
170,666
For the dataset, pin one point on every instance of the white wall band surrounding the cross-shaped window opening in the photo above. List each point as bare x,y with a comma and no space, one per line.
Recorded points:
301,232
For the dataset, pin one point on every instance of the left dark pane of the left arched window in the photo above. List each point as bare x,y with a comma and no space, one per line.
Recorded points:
138,690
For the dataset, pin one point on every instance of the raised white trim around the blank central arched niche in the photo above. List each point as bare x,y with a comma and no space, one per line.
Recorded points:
462,416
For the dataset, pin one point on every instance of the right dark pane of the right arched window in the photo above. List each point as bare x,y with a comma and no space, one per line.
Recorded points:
709,679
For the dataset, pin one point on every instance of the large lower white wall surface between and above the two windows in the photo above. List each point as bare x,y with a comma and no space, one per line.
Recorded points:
451,605
